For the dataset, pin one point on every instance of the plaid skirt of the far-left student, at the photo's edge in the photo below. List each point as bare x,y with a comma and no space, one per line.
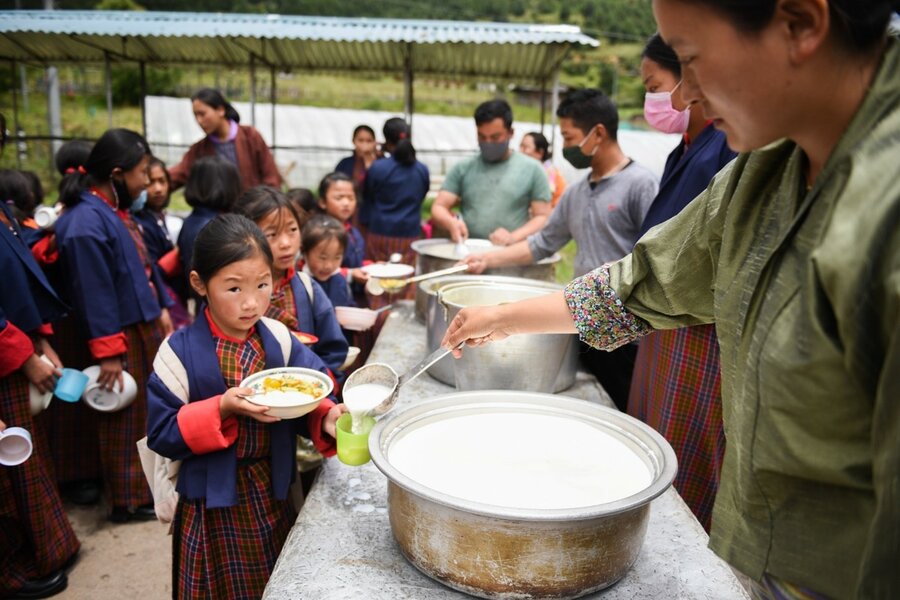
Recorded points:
36,538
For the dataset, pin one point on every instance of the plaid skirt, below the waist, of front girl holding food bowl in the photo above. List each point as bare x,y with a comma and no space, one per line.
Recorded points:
230,552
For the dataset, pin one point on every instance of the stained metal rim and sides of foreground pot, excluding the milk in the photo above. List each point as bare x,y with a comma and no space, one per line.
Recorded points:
503,553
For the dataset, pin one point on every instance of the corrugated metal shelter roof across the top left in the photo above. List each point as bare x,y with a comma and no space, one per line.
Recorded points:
521,51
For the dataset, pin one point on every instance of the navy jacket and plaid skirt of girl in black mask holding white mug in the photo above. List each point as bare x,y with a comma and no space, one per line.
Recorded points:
118,311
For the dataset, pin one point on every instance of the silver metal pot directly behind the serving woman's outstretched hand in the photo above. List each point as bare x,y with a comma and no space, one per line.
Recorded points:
530,362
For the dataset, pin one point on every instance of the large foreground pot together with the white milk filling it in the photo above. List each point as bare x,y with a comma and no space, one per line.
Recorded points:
520,495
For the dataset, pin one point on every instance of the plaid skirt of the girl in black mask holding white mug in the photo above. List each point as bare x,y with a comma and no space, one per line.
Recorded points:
118,432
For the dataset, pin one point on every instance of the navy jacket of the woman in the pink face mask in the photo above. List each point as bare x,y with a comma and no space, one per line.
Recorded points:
689,170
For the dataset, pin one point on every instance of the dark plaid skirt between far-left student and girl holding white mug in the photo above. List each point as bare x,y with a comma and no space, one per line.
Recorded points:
72,427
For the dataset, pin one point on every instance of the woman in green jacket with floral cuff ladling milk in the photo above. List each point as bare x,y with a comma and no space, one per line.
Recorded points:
793,252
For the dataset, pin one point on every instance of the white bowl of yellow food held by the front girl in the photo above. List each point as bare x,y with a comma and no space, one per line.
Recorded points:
289,392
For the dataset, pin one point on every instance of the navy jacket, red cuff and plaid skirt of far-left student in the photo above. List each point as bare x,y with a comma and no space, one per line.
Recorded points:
36,538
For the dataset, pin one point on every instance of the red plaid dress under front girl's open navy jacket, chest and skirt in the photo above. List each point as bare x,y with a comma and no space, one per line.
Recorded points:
230,552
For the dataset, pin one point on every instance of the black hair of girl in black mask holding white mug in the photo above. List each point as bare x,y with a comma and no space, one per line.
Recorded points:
116,149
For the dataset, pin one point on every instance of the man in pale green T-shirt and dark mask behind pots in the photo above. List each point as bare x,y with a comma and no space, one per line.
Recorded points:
503,195
